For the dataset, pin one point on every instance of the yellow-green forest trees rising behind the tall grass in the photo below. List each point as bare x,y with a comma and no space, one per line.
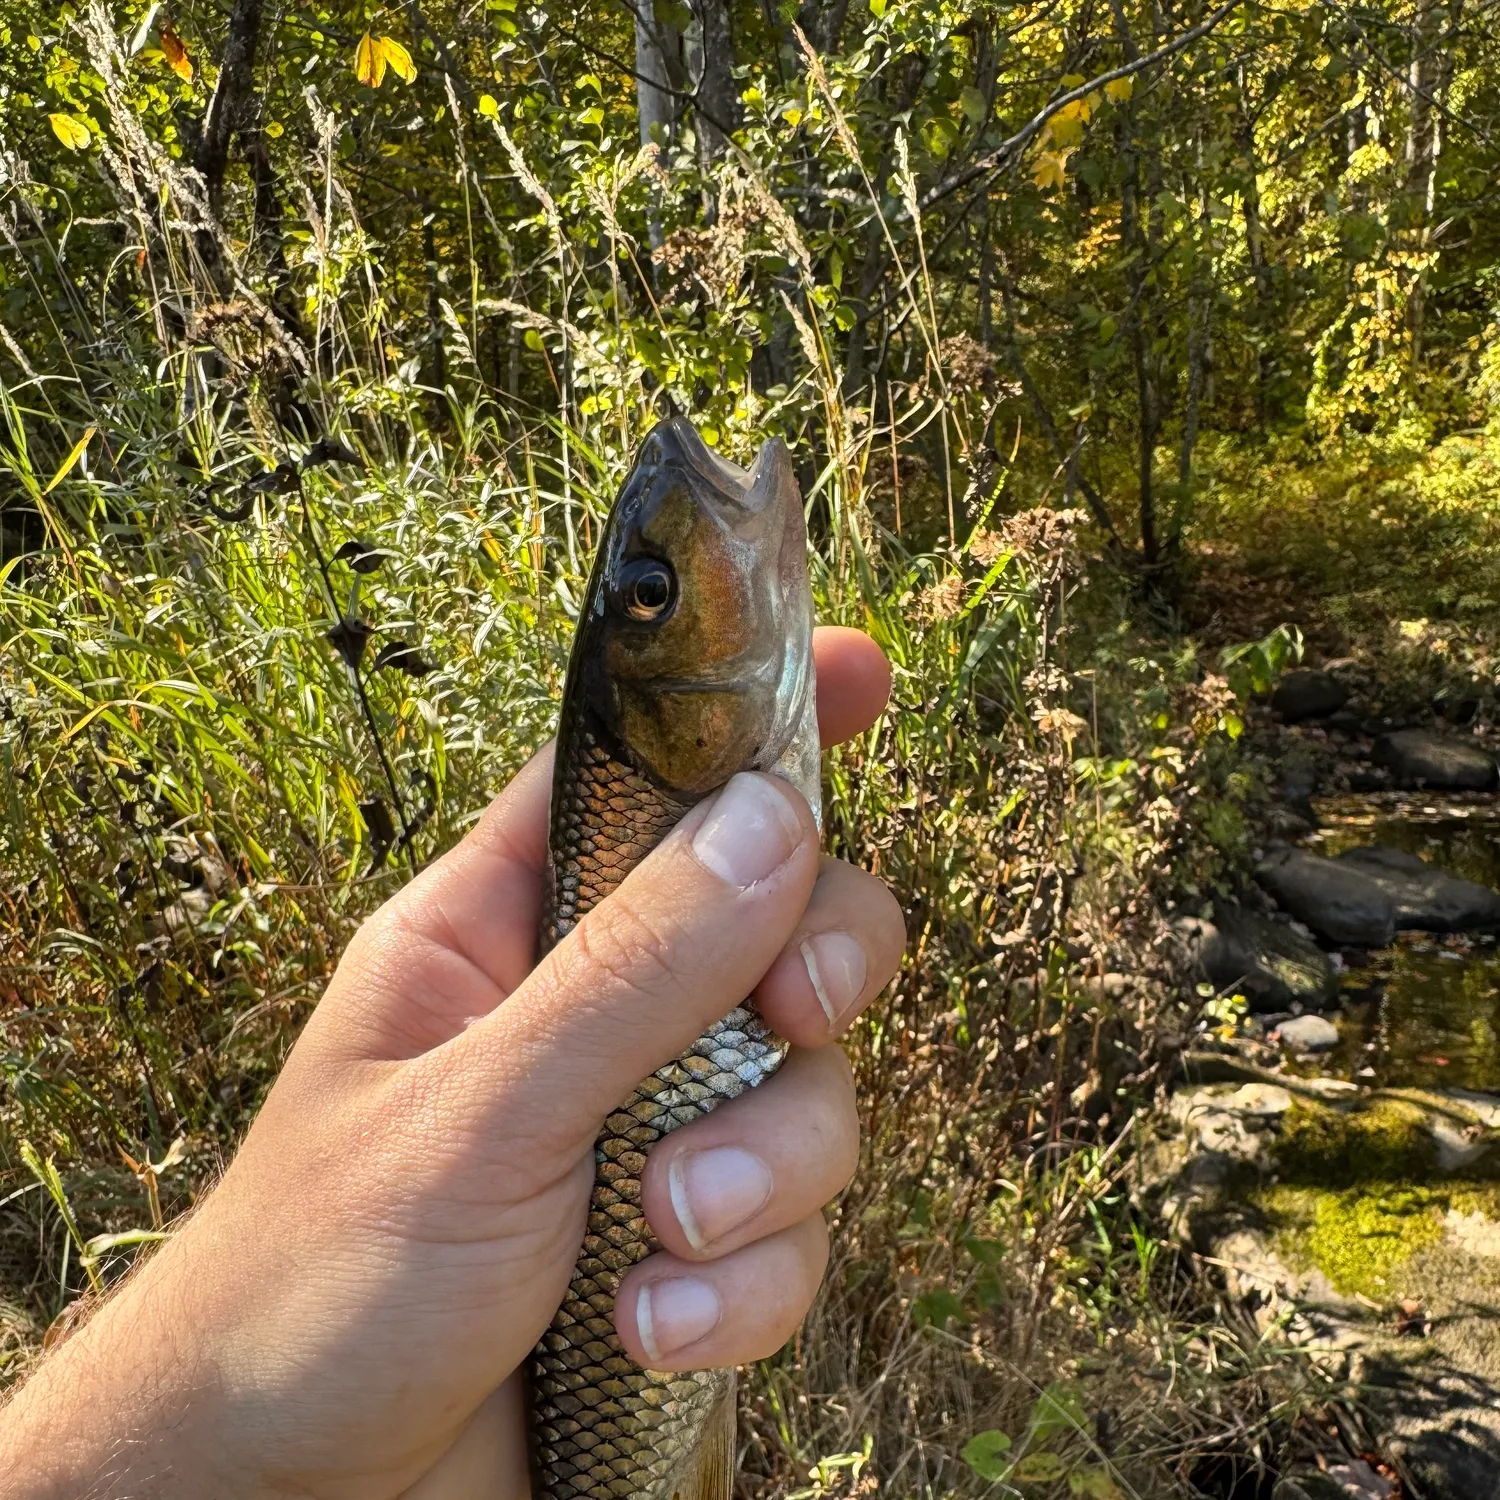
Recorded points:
1162,223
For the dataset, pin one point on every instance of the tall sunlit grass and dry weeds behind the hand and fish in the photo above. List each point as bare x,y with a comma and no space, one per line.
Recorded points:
251,682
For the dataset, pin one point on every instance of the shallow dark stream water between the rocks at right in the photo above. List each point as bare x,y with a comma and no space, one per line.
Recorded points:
1427,1012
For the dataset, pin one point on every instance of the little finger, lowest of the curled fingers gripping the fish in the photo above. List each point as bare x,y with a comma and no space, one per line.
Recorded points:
674,1315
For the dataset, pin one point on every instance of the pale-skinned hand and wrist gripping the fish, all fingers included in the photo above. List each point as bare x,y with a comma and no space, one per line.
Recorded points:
347,1313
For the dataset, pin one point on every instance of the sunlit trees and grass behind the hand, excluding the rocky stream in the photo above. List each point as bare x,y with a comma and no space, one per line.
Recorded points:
1121,347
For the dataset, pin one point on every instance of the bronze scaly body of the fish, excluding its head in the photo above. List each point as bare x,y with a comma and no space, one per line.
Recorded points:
601,1423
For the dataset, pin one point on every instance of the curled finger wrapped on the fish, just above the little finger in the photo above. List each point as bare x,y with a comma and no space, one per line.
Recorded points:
758,1165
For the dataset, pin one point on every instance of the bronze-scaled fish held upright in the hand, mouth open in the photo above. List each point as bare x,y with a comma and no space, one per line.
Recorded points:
692,661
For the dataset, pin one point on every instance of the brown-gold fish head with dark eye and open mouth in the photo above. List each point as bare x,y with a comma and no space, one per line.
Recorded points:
698,620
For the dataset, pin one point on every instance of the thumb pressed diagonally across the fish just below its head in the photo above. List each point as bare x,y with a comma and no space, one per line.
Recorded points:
679,946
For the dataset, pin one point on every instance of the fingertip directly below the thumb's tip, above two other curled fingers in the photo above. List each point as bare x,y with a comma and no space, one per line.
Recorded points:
845,950
